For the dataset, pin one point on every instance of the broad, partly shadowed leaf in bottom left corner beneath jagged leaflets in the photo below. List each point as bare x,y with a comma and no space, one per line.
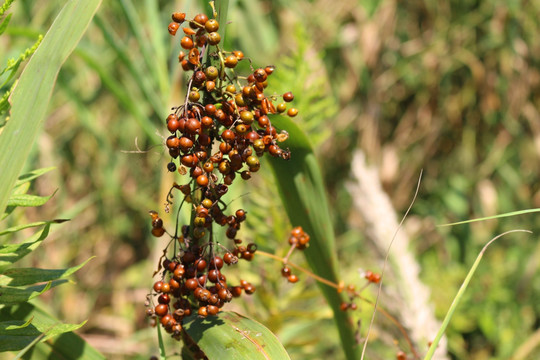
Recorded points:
66,346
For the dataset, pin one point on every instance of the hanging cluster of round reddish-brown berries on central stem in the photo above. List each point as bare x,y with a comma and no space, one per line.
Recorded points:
217,135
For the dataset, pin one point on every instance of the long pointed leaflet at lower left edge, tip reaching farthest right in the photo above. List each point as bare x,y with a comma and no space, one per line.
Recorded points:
28,276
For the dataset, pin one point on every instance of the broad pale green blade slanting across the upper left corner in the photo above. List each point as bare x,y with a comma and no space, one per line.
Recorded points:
33,91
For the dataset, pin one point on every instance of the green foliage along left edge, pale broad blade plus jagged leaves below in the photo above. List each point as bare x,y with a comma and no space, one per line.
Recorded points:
23,325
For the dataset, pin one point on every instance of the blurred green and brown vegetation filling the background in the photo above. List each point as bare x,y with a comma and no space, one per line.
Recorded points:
449,87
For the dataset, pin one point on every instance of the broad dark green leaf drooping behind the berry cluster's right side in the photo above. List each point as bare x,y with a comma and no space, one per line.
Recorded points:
301,188
